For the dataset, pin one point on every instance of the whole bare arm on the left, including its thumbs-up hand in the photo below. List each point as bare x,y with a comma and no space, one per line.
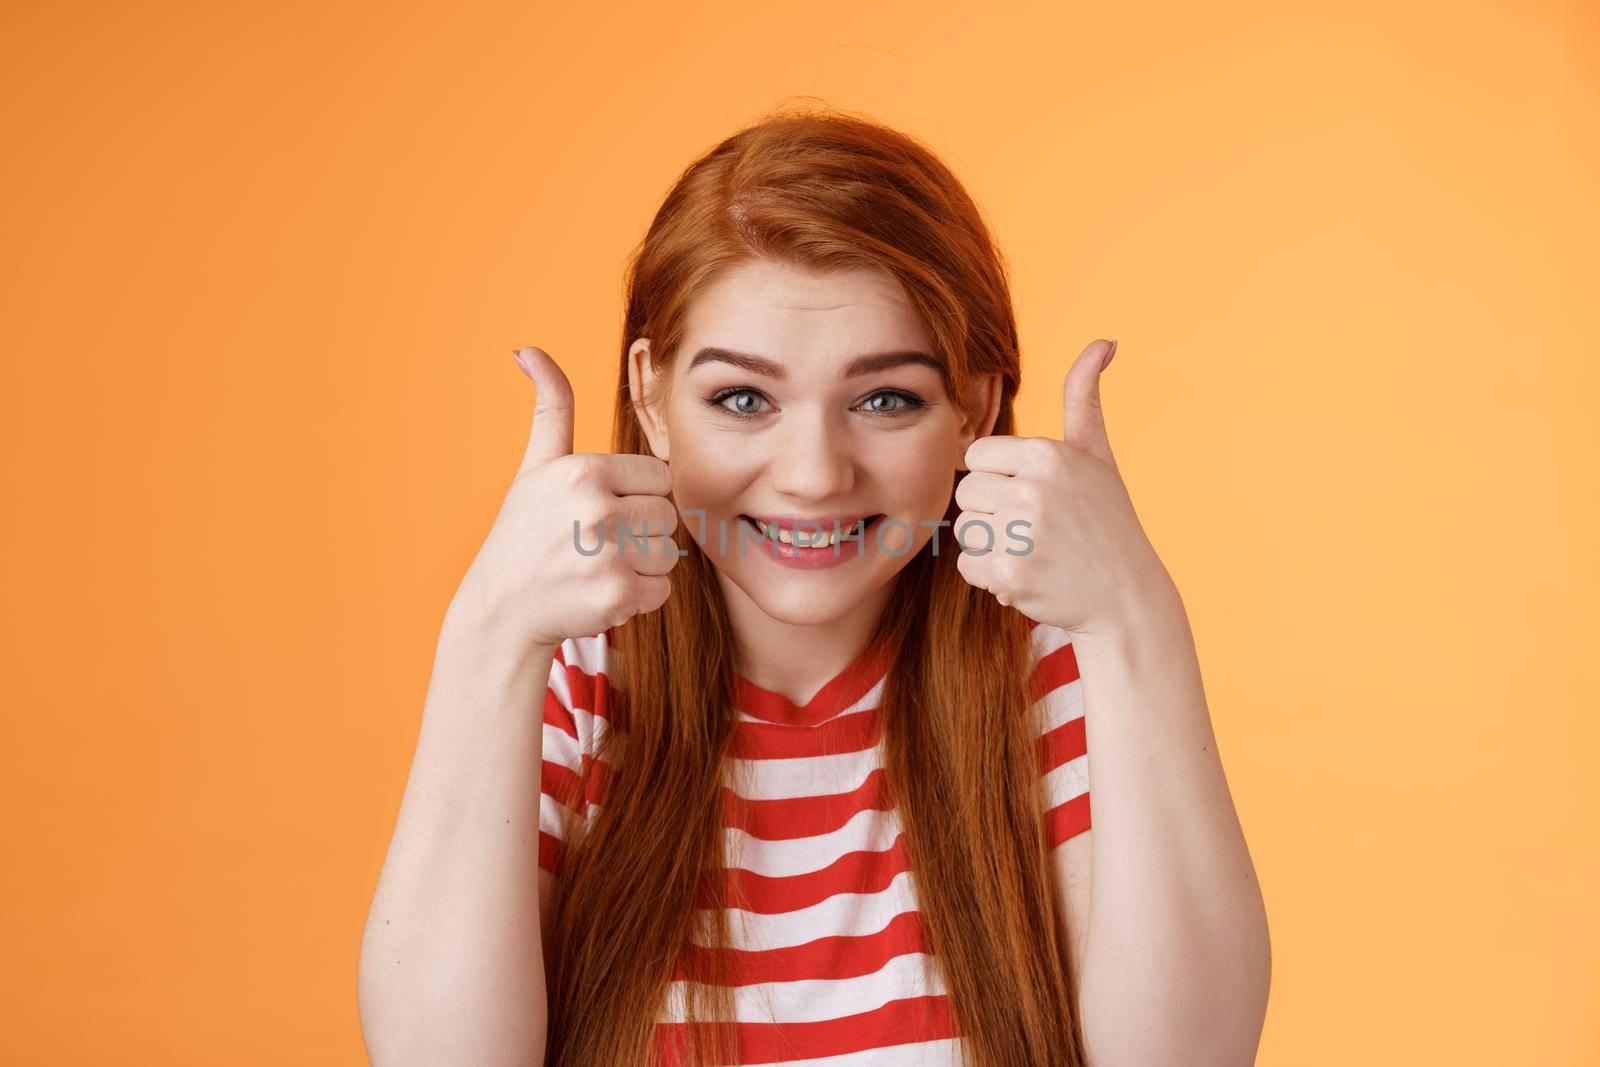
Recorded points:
452,965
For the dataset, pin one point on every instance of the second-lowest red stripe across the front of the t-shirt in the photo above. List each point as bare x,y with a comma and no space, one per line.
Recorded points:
836,957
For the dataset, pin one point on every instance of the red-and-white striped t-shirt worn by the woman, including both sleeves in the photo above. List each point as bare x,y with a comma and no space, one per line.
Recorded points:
831,962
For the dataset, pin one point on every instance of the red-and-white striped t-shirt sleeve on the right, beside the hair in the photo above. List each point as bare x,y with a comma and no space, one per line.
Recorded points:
1063,745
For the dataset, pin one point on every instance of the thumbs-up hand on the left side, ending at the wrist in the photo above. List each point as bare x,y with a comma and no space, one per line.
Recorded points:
564,557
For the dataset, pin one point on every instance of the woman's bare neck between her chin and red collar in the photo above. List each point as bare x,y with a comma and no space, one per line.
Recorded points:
798,660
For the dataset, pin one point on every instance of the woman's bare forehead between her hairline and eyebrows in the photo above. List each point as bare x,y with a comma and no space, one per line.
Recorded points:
798,316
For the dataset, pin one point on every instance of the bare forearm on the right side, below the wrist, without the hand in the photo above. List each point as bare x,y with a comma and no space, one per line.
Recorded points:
1177,961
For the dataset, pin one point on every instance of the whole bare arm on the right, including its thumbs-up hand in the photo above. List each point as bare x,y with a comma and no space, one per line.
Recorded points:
1177,962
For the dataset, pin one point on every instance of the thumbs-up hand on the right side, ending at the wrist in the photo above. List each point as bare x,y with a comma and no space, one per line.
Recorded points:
1066,545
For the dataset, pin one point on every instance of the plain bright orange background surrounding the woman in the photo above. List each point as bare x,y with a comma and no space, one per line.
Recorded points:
263,271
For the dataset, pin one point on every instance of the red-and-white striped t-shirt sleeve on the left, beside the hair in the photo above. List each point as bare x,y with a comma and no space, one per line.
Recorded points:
577,701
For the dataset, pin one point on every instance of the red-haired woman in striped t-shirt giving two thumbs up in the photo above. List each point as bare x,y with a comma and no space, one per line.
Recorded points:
823,652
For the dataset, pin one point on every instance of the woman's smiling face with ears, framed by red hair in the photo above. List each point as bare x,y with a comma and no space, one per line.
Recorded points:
801,406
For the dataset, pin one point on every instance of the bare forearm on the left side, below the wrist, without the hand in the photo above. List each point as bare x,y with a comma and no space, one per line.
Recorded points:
452,964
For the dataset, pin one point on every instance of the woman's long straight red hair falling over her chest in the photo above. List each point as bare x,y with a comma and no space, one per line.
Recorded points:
823,190
